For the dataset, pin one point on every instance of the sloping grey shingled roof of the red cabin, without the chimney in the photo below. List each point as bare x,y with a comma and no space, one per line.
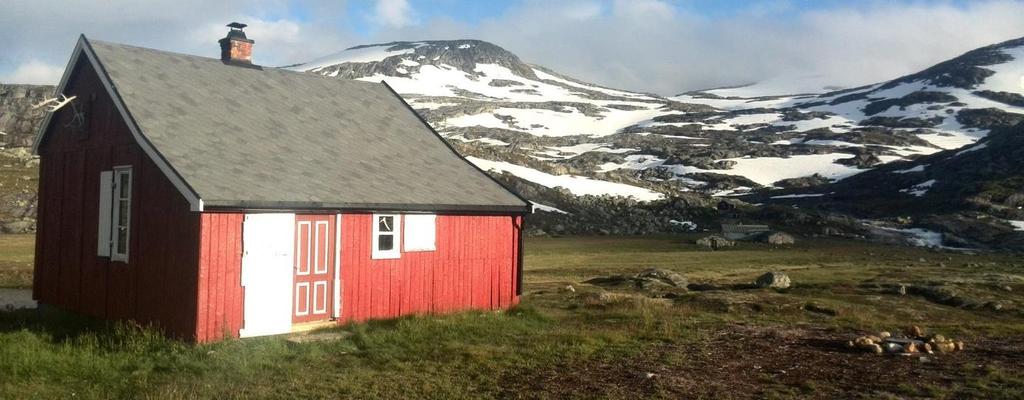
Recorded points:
270,139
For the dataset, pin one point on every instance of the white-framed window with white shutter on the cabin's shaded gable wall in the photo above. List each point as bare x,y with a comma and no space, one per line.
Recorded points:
115,213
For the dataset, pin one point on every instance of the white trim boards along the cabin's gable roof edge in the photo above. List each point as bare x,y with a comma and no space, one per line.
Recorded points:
195,203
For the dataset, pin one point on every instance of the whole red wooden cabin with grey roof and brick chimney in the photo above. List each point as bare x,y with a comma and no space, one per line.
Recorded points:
219,199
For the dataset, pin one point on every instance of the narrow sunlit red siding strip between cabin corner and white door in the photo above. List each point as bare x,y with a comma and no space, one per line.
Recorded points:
220,300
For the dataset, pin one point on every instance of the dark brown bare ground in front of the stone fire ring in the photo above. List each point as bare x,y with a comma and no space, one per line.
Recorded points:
742,363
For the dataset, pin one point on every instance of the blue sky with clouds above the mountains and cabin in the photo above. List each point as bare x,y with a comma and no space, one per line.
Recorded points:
659,47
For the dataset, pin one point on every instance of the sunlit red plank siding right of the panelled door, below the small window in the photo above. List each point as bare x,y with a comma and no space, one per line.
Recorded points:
475,268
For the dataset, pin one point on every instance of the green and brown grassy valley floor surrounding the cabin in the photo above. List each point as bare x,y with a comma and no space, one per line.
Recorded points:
730,343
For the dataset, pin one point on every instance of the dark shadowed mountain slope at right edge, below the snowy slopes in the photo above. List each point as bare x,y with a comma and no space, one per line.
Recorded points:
969,198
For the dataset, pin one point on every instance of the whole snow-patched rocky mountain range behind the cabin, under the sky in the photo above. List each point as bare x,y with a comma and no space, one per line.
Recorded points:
549,129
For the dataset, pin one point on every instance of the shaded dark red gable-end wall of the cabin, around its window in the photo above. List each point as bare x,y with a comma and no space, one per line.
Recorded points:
158,284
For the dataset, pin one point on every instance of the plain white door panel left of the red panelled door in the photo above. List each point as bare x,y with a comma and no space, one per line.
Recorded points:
268,274
